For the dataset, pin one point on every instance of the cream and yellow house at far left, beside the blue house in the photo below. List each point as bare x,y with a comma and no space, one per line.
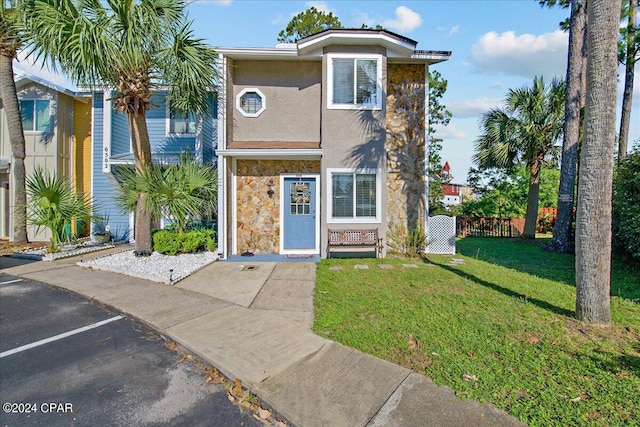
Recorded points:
57,132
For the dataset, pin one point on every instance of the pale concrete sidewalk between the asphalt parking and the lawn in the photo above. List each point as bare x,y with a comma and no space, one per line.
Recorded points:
253,322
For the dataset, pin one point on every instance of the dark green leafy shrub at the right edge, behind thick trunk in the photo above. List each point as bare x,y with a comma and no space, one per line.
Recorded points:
626,205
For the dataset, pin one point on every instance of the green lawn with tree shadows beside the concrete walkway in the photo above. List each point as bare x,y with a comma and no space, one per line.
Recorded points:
505,316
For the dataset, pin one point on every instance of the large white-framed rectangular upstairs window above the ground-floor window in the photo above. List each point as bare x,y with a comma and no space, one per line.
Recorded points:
355,82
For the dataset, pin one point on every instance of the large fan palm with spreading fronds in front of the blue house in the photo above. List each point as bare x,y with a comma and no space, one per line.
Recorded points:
129,47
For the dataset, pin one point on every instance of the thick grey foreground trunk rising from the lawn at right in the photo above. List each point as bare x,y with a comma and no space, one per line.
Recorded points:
593,221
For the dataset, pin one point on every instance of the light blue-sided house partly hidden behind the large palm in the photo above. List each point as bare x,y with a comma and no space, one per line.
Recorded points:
111,149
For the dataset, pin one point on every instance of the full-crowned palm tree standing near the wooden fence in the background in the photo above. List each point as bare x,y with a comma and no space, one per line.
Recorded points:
526,130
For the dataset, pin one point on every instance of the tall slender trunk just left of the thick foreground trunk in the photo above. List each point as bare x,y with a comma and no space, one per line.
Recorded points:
576,69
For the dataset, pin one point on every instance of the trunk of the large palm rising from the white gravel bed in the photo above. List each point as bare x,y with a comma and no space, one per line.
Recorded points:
142,157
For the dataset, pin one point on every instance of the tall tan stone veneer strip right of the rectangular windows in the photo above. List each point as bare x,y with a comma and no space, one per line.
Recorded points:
405,146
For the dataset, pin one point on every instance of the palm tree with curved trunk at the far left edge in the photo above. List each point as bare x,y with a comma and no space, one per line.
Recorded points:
11,40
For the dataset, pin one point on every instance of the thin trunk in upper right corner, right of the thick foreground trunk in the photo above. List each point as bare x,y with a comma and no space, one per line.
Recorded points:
627,97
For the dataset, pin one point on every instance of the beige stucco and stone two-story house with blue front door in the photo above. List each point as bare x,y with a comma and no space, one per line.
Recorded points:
326,133
